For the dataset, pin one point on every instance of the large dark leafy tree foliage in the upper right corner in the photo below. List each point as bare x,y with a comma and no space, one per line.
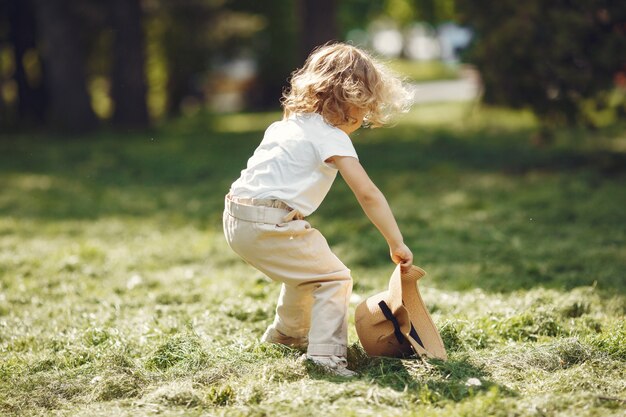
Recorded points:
552,57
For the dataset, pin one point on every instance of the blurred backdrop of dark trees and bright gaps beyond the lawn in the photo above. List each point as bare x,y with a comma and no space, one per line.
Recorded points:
81,65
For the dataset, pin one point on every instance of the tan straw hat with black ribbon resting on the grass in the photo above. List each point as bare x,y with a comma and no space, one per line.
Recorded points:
396,323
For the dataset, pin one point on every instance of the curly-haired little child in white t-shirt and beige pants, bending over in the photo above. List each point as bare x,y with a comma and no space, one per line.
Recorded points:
339,88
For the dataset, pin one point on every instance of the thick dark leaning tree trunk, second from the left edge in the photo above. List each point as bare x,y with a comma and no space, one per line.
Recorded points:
64,65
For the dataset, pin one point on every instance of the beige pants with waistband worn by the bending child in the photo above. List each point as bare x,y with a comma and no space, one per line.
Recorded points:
316,285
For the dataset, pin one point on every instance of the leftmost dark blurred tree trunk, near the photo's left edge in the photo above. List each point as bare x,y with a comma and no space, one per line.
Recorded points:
22,34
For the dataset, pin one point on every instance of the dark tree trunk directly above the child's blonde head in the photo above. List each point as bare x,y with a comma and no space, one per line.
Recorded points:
318,20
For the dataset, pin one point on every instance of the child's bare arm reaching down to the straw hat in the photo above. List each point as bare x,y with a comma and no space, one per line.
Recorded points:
375,206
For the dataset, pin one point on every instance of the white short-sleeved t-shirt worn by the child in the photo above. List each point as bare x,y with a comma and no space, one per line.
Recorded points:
289,163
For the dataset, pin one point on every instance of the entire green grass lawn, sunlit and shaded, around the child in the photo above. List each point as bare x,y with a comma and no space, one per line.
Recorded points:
119,296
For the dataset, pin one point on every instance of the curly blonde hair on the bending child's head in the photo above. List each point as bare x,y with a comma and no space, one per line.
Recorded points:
337,76
